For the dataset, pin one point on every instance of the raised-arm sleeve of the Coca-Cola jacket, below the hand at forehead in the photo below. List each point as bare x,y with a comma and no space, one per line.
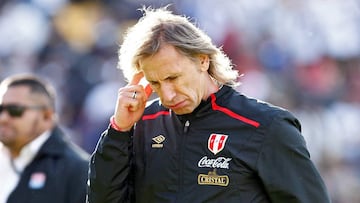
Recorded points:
109,173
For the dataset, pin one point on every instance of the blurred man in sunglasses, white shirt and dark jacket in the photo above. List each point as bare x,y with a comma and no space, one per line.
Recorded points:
38,163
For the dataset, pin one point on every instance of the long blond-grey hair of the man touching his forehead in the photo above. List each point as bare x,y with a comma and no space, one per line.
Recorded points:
161,26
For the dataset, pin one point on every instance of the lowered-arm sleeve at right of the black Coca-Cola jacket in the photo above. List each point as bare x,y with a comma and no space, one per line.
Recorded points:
285,167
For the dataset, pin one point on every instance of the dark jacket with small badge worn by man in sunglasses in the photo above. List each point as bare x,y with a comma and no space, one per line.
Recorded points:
58,174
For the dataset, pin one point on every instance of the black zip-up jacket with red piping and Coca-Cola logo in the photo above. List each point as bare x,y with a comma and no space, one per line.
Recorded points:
230,149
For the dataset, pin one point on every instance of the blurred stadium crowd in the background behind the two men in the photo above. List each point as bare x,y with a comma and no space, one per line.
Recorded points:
301,55
